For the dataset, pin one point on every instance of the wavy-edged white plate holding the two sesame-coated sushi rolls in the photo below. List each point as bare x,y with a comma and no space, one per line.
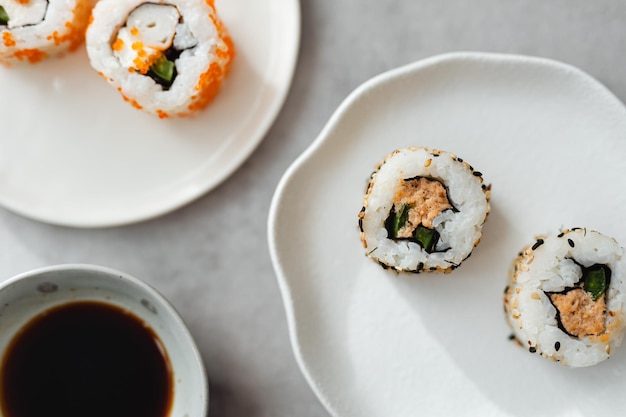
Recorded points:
551,141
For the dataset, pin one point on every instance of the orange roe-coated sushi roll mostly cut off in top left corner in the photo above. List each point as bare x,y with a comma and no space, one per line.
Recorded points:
36,29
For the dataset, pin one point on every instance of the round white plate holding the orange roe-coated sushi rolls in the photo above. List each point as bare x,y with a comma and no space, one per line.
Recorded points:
72,152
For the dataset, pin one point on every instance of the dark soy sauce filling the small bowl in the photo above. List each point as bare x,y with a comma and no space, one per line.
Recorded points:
83,359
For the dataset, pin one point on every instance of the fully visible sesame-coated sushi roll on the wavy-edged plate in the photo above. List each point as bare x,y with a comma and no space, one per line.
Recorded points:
424,210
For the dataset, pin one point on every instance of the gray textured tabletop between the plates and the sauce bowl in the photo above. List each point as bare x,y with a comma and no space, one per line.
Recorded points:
211,258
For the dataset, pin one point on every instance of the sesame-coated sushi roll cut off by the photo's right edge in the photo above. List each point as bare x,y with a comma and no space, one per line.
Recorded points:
565,299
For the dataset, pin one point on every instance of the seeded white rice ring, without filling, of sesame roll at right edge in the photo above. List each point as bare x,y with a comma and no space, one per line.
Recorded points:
552,265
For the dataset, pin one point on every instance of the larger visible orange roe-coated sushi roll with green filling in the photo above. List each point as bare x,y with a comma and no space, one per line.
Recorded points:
168,58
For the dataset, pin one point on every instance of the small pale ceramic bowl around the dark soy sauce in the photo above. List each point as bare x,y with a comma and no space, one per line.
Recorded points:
25,296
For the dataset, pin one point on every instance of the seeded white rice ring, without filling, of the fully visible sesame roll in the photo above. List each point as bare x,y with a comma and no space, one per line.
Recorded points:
460,230
